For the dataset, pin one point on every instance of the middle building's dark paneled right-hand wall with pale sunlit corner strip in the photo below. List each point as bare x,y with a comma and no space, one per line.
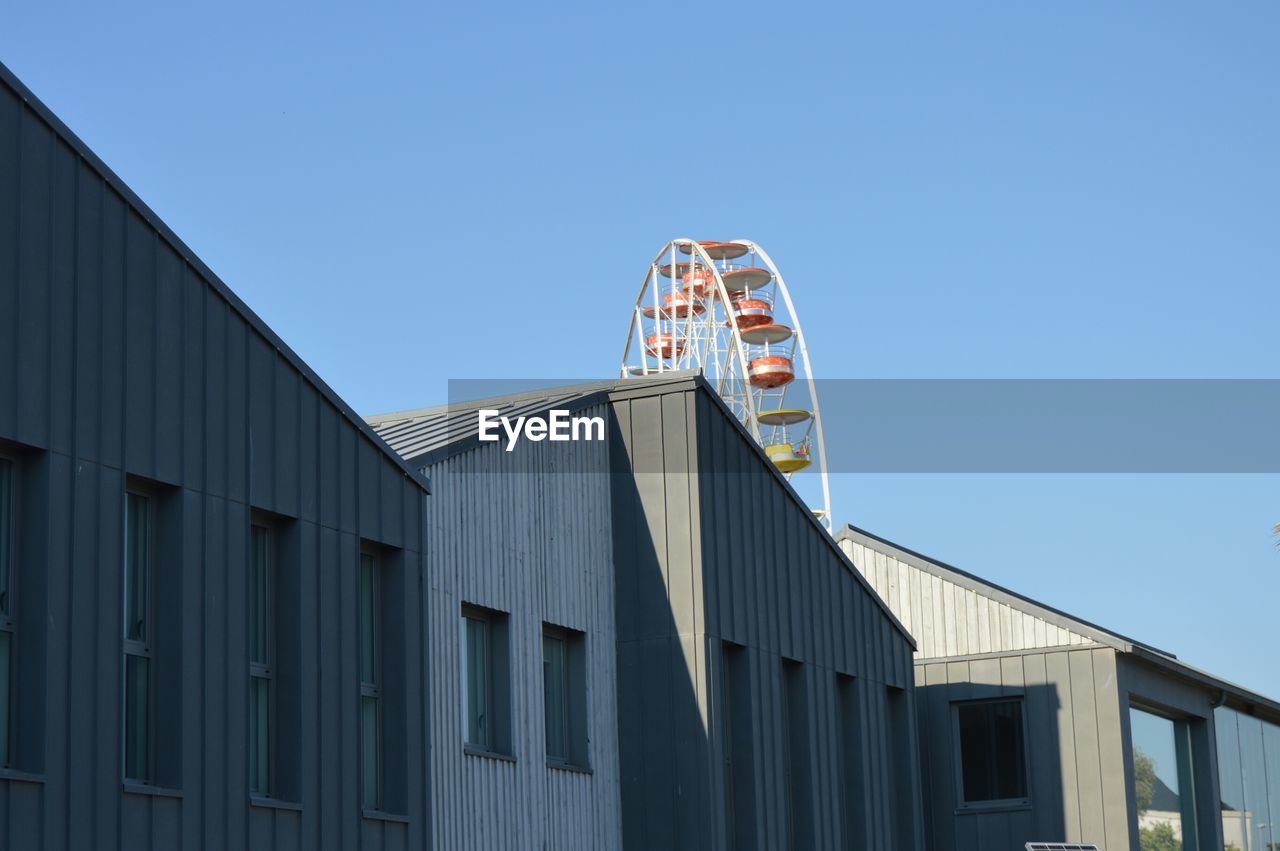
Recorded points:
725,555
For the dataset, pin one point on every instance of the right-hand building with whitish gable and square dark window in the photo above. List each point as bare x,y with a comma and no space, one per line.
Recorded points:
1037,726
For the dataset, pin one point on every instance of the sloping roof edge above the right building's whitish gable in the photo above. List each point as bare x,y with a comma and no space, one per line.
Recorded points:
1233,694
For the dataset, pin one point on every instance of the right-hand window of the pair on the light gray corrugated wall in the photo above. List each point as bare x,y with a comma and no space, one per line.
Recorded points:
565,696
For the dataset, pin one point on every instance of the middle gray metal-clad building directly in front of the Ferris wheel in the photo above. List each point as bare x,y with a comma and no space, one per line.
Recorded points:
744,685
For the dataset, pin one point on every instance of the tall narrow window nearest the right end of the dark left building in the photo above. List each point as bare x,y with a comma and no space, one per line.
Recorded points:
371,683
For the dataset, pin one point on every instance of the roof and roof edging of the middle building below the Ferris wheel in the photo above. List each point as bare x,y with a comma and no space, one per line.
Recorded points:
429,436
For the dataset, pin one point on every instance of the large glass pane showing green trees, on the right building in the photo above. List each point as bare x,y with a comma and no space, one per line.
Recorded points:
1163,781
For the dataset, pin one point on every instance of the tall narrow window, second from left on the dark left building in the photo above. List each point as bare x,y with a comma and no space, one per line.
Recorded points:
139,651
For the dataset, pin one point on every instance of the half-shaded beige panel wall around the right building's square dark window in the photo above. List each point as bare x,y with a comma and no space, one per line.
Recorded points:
1076,753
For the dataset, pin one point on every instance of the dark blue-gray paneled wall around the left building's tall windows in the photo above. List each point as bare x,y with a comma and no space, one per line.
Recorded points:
117,358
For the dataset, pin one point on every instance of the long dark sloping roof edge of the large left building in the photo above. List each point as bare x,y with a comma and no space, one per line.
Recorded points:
213,281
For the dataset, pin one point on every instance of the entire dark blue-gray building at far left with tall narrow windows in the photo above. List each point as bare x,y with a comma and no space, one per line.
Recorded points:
212,632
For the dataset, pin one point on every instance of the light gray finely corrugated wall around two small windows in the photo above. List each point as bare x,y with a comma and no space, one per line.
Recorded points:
525,533
